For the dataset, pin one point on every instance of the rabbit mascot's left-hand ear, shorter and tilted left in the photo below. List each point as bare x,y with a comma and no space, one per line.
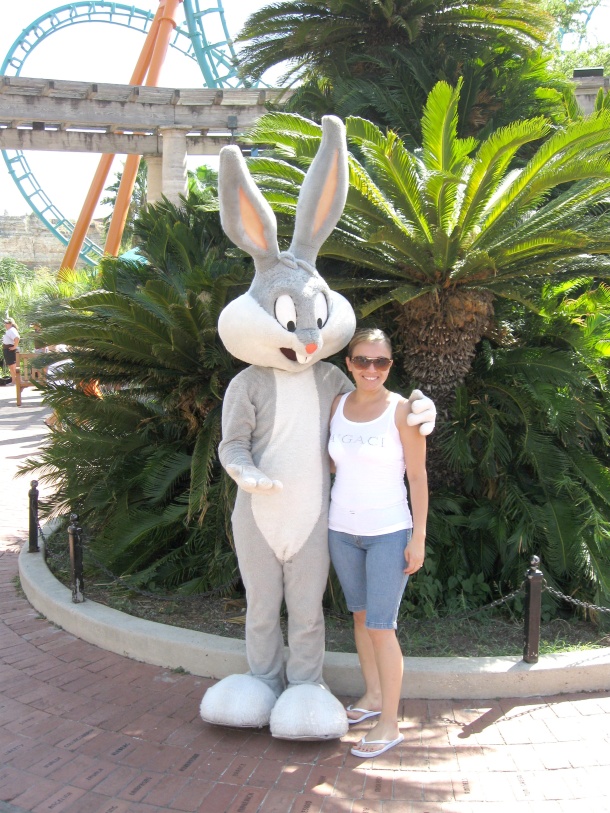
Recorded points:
246,217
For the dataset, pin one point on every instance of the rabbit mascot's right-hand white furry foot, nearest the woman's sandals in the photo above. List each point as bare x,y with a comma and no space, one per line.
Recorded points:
308,712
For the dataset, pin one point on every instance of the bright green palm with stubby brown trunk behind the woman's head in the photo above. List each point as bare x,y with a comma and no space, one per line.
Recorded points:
446,231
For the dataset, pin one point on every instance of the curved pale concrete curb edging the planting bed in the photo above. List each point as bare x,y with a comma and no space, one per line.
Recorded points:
213,656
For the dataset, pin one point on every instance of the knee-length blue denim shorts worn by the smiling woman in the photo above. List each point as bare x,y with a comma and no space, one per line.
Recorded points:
371,572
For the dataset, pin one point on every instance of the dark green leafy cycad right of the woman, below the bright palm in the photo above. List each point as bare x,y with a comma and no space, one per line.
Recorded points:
529,437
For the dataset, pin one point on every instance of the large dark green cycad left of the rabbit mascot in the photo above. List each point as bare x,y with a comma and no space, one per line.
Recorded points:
139,464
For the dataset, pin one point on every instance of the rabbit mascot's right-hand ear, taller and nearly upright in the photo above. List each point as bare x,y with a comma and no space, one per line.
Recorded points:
323,193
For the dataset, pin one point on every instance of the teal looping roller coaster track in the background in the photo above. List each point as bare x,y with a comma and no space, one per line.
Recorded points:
216,60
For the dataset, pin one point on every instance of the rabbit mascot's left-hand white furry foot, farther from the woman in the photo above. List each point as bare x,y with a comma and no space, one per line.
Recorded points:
238,700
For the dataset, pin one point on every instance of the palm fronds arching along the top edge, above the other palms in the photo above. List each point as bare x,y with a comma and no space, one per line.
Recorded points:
325,36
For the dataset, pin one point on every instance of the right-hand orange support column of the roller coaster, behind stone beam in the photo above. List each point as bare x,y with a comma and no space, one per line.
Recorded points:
167,23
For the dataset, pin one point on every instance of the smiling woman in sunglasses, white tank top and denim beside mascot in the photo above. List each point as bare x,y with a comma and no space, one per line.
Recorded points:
375,544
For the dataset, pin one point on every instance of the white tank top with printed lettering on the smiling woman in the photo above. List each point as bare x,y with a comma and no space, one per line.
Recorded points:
369,496
